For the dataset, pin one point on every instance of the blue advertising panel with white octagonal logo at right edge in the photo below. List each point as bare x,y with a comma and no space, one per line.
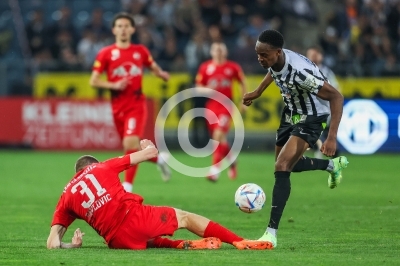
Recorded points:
370,126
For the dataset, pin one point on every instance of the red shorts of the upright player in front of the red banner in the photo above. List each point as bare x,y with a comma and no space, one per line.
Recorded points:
132,122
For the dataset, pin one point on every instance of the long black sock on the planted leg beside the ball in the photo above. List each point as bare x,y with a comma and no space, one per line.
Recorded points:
280,195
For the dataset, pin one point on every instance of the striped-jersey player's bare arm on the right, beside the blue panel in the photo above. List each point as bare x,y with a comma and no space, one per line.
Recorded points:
335,98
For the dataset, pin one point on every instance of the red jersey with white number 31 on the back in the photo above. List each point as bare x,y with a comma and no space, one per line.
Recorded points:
96,195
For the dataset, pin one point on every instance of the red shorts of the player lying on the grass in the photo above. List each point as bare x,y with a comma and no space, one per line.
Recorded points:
143,223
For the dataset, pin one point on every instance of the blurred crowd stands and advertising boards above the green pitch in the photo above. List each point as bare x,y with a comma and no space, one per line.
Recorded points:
47,48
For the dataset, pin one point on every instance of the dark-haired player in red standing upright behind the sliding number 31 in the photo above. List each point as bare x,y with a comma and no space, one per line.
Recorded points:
123,63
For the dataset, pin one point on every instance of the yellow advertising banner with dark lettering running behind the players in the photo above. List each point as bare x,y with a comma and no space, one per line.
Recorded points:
263,115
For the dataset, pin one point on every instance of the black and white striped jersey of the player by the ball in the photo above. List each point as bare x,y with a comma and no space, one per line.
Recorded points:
299,82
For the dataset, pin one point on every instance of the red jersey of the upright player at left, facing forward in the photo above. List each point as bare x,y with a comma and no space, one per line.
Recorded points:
121,63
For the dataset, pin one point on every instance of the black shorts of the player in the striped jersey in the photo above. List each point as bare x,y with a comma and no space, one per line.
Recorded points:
306,127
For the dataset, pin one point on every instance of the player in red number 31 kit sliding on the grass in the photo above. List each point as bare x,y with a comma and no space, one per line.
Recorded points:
96,196
